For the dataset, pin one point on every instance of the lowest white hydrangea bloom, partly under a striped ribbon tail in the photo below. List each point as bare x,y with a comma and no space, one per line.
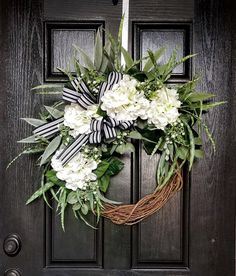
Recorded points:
77,173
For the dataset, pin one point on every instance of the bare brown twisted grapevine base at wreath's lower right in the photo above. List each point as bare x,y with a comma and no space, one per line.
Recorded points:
130,214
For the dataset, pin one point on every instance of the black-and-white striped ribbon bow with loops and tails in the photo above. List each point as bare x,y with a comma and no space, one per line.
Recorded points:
101,129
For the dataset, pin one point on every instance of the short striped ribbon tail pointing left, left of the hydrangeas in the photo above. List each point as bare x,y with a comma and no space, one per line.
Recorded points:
48,129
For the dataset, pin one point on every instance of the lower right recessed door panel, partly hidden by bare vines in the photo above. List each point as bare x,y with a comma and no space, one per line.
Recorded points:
158,237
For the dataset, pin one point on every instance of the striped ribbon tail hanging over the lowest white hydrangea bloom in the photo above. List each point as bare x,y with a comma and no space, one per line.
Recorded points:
69,152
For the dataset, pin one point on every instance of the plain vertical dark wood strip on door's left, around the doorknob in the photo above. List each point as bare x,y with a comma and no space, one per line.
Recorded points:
21,68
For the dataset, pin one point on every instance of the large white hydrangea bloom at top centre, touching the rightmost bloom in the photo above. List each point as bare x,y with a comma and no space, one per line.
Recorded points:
124,102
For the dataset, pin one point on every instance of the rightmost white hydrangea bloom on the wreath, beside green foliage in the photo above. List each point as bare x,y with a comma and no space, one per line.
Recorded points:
164,108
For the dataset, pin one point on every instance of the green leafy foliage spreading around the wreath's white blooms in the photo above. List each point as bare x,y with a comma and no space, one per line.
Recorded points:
177,145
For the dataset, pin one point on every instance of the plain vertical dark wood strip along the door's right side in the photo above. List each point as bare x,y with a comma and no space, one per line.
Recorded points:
213,179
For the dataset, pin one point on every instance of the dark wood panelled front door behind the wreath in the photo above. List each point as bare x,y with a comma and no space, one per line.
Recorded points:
194,233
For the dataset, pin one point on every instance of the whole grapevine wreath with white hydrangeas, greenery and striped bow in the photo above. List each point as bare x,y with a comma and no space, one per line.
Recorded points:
106,107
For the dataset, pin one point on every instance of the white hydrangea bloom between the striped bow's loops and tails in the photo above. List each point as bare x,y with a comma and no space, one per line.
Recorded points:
79,119
